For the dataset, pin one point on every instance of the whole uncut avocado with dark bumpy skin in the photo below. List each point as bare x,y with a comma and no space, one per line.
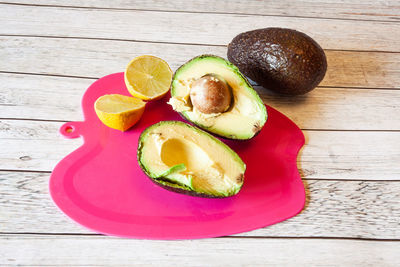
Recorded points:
282,60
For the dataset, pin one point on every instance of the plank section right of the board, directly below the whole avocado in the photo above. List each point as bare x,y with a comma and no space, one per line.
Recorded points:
339,108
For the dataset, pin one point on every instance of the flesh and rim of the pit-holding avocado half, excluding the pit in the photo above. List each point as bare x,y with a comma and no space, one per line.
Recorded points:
247,113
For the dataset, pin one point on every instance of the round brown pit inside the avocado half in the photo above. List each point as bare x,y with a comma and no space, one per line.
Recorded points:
210,94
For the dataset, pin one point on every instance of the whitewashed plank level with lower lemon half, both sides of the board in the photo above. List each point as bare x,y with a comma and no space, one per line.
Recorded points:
27,97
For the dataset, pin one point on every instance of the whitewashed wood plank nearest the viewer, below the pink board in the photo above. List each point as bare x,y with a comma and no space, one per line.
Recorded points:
97,250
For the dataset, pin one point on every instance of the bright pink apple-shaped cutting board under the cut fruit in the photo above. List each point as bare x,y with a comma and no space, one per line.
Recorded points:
101,186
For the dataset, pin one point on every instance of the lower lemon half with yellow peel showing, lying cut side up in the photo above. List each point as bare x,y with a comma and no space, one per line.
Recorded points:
118,111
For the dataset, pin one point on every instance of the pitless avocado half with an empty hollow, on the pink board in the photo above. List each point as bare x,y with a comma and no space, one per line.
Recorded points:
187,160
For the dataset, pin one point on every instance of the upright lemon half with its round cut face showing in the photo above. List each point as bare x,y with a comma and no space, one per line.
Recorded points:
148,77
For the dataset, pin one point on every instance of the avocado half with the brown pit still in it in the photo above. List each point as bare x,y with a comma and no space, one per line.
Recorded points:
227,106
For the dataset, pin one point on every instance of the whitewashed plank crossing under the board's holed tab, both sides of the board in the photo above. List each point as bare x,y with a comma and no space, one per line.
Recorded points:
36,145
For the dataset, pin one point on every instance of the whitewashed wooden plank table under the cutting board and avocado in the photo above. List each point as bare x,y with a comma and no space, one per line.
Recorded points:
52,50
